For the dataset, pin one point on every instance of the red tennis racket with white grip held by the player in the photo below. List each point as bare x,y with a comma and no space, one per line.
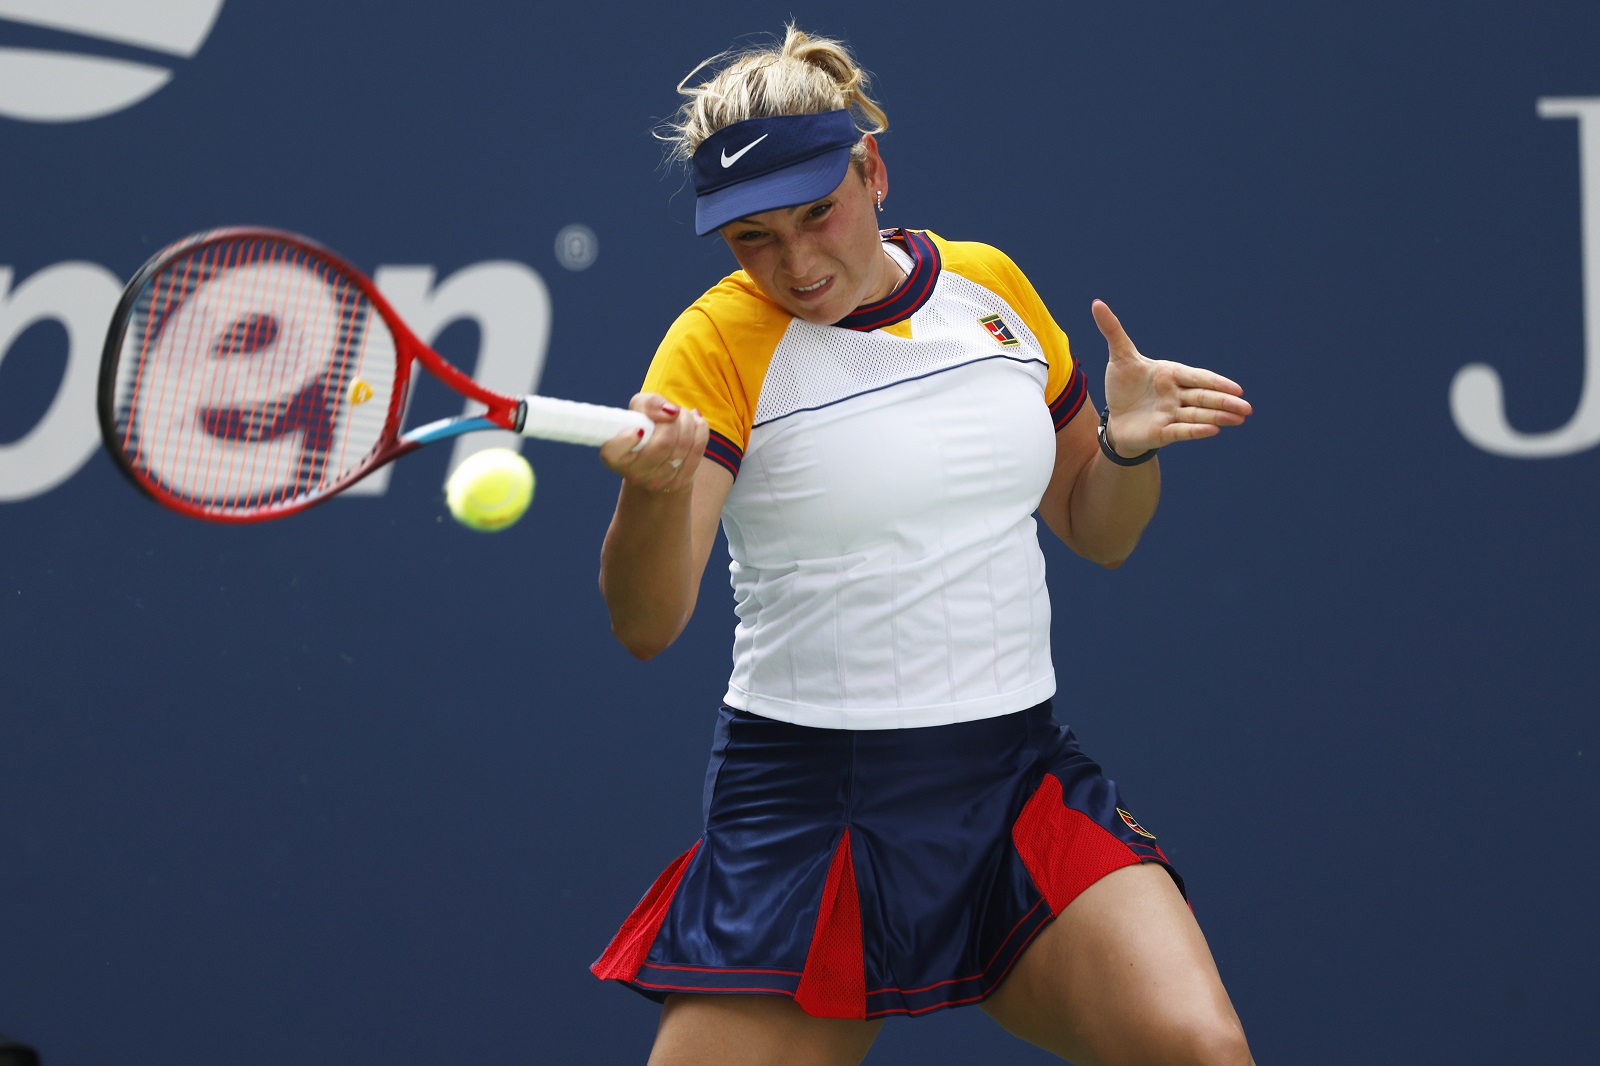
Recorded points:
250,374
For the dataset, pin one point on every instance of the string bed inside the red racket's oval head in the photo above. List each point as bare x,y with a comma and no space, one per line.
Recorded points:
252,379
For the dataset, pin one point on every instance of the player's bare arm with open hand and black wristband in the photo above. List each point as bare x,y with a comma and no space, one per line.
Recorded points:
1098,508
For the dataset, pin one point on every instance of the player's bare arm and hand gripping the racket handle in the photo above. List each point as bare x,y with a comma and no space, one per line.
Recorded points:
663,529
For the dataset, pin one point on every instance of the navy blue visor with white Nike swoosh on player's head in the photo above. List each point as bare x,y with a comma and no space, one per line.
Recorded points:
766,164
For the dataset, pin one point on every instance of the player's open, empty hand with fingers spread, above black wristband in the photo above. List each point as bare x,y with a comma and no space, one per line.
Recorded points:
1158,403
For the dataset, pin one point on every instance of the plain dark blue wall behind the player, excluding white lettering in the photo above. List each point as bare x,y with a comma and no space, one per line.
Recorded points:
367,788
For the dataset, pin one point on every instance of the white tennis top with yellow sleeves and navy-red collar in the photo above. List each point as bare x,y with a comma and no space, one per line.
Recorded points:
886,563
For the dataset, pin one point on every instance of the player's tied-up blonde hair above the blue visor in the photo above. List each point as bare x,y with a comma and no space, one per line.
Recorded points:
802,76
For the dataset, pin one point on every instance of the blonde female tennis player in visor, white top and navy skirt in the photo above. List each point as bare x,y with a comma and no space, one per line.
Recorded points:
895,822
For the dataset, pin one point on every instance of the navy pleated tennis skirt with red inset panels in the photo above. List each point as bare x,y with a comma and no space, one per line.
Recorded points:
870,873
